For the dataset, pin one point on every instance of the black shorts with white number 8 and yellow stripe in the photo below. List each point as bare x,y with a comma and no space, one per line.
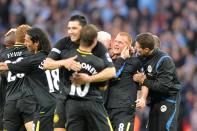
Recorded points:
122,118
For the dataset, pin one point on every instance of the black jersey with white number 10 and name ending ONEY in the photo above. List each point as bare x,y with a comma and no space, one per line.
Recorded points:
90,65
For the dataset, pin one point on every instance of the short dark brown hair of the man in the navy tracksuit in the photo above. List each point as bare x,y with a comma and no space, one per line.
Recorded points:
146,40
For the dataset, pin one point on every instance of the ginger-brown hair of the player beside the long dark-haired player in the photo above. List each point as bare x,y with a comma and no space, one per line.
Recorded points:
21,31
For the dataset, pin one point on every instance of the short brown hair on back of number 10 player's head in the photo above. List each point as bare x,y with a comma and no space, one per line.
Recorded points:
88,34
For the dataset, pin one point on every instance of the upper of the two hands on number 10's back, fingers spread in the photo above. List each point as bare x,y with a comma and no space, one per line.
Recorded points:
72,64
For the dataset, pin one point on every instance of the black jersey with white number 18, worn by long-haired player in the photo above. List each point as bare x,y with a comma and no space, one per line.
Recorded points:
45,84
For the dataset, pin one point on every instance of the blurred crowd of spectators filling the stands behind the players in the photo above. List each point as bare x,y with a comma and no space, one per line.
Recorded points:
174,21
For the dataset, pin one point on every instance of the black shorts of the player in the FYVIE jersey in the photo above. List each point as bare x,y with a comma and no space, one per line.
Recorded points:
17,112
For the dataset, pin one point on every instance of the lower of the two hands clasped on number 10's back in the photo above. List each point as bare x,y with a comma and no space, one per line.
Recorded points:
80,78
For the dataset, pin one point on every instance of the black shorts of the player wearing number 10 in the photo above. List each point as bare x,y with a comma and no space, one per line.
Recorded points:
84,115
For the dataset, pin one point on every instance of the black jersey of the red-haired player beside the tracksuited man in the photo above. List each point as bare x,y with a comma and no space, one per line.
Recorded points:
122,90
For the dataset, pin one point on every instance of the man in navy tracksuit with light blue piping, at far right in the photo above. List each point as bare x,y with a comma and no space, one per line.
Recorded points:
161,79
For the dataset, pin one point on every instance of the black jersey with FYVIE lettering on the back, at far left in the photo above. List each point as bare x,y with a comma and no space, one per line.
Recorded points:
14,89
